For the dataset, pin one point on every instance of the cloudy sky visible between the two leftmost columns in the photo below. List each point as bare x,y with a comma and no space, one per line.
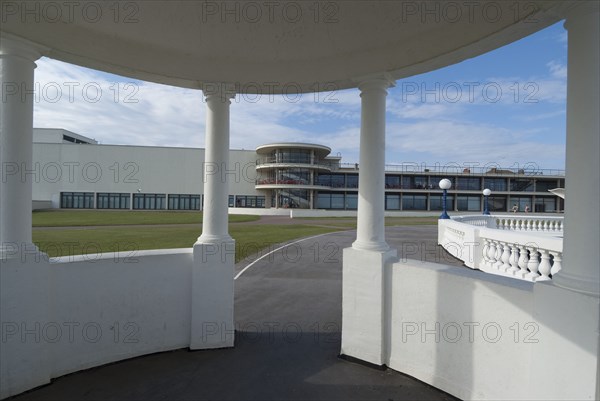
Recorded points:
116,112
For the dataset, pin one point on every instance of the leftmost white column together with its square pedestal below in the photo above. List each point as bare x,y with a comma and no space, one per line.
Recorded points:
24,272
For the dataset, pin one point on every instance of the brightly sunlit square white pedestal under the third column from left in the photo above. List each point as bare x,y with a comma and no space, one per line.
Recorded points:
364,304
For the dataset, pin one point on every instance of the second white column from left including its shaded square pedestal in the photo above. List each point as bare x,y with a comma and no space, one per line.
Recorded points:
214,253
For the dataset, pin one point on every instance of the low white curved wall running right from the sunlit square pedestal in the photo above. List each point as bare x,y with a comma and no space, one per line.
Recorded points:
484,337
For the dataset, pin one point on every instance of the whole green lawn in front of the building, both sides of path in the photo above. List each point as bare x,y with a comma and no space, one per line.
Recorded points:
65,233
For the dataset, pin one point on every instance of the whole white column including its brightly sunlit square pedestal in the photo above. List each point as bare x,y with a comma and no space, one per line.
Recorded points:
365,264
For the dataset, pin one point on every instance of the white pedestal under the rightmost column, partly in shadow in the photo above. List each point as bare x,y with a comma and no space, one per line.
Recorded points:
567,340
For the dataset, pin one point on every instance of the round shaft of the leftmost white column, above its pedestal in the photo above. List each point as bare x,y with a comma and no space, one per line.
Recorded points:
17,63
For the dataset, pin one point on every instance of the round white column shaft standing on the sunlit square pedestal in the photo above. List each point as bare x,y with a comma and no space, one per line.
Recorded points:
370,233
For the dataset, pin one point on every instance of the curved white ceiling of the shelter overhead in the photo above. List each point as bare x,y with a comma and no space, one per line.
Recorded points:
274,46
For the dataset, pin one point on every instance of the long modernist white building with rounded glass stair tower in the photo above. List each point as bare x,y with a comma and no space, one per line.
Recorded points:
72,171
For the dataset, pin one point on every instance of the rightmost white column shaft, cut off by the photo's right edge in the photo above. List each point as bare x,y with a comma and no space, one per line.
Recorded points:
582,216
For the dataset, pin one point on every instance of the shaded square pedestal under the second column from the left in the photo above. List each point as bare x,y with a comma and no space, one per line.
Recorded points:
212,323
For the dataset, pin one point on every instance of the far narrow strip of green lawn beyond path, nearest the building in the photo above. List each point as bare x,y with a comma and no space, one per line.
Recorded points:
79,218
